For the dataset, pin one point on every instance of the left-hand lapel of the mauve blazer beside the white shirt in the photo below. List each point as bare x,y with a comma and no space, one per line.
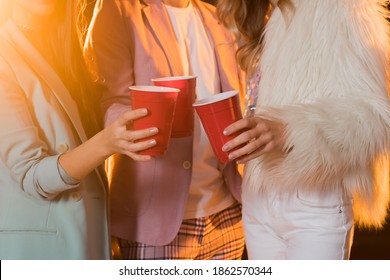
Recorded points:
162,28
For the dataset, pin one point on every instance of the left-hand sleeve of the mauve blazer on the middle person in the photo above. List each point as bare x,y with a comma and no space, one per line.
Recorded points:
109,54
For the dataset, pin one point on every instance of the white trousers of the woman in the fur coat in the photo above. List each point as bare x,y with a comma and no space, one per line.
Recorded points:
301,226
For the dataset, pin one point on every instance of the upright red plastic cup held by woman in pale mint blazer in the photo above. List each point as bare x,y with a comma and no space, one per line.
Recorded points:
161,103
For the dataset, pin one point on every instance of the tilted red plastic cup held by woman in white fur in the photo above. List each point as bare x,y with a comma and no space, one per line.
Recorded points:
216,113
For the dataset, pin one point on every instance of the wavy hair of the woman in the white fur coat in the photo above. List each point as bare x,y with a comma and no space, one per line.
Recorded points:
247,19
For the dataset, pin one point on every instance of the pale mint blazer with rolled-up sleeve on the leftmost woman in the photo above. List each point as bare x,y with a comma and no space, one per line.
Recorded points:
42,217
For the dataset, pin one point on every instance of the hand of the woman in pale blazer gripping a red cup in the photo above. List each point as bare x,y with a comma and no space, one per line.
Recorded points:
118,138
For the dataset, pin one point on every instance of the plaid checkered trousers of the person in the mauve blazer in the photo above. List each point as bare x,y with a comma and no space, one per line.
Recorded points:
218,237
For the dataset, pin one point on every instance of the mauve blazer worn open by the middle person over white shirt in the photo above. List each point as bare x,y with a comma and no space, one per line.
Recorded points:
131,42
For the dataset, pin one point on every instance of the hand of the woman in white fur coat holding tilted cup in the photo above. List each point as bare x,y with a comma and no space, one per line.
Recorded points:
260,136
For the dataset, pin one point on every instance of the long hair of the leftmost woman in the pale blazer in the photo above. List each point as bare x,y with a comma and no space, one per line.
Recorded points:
63,38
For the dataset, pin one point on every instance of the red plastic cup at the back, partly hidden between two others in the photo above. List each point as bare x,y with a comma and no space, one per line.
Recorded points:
183,122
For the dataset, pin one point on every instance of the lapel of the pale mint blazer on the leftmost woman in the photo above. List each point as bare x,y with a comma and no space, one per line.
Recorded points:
35,60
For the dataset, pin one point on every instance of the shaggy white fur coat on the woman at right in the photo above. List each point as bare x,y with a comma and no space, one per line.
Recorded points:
324,72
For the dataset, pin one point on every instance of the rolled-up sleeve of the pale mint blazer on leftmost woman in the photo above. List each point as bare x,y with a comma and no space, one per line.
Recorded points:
24,154
